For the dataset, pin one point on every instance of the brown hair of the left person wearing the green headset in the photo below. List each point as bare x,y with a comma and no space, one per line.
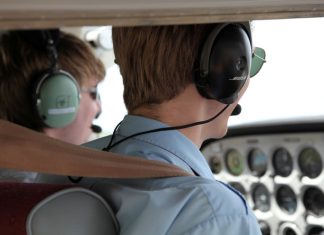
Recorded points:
20,62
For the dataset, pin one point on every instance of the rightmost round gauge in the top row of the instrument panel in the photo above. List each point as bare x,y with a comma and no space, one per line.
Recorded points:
310,162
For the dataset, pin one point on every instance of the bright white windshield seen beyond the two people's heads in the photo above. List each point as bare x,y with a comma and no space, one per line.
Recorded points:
289,86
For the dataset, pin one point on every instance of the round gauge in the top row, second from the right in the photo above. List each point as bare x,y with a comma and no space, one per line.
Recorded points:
282,162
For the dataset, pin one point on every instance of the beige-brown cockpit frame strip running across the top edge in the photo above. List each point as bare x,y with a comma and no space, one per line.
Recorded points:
43,14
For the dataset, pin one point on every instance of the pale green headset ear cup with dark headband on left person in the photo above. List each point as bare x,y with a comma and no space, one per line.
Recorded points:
56,94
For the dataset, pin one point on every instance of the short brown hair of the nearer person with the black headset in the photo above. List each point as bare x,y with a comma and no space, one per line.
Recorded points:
157,62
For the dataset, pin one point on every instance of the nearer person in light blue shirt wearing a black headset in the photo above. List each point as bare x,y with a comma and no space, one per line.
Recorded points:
181,84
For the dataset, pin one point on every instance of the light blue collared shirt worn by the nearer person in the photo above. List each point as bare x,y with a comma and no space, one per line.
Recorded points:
176,205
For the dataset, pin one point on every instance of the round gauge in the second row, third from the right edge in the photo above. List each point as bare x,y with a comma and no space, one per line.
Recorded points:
261,198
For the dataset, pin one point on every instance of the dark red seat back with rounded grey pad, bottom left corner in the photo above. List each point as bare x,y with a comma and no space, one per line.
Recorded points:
41,209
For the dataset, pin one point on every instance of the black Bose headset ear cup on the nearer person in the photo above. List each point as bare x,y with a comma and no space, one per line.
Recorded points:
226,61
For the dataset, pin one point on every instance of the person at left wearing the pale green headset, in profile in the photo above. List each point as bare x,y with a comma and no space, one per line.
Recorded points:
48,83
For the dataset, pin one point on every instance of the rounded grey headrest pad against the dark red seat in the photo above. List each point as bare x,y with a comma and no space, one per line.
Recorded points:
72,211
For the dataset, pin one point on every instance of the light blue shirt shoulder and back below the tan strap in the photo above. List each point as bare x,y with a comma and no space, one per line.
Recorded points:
184,205
